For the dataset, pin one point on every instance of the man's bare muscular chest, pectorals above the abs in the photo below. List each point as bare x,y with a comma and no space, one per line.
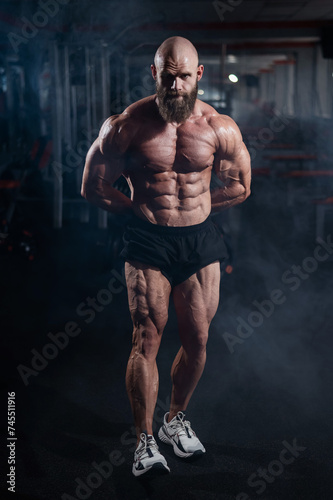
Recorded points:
189,147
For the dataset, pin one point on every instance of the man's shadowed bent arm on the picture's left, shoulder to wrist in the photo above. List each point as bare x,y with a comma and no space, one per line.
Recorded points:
104,165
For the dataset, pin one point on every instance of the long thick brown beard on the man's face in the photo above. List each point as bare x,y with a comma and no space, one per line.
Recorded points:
173,108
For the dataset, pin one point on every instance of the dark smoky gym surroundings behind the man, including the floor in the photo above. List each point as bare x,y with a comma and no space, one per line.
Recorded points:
263,407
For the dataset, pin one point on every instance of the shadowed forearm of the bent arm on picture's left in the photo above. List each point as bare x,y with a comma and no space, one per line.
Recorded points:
110,199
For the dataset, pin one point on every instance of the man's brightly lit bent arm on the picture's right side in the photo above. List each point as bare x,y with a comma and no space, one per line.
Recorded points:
232,166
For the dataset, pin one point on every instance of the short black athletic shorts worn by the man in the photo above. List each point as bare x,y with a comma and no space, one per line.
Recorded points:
177,251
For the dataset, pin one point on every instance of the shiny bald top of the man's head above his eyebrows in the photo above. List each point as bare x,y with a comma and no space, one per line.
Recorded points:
177,49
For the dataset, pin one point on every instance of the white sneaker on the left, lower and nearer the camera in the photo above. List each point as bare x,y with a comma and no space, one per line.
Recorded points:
147,458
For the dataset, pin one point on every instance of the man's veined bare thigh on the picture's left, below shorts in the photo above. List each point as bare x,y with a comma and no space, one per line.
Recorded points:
148,295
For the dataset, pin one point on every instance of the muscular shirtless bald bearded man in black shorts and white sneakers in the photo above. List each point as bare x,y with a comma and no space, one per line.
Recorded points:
166,146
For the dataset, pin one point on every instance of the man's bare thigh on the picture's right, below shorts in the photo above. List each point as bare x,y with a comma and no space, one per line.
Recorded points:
196,299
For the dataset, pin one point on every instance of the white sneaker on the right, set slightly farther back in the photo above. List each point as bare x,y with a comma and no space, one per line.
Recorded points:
179,434
